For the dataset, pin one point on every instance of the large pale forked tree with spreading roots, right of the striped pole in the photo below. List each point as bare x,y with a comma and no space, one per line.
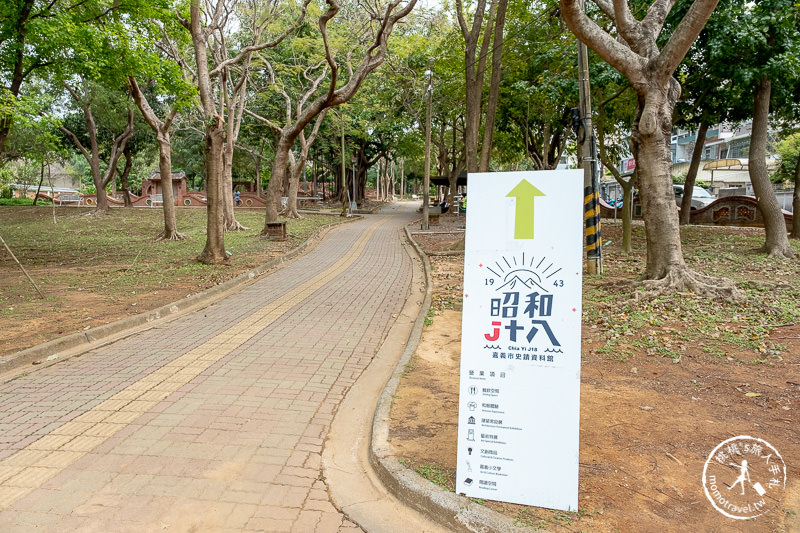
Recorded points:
633,50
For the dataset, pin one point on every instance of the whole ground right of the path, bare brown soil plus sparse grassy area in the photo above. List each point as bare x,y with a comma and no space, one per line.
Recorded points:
664,381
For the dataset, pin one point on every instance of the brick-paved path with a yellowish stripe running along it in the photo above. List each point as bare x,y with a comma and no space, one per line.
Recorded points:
213,422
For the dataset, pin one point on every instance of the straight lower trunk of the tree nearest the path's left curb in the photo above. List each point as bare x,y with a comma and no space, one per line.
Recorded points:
214,251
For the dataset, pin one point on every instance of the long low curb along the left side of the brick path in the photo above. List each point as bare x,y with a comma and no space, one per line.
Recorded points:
64,348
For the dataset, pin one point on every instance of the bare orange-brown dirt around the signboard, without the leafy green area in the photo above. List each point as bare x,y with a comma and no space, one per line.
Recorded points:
648,422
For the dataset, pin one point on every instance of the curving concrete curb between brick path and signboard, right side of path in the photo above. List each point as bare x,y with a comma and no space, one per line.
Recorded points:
448,509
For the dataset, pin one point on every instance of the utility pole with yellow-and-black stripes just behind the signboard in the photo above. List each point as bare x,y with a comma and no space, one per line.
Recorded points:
591,206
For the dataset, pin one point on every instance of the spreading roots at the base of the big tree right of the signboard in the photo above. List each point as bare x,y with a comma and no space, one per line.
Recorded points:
683,279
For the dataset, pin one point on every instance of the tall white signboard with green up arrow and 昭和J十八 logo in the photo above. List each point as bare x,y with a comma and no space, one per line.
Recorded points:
520,342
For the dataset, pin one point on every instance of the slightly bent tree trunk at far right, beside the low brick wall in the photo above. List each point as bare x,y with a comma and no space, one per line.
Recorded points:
777,241
